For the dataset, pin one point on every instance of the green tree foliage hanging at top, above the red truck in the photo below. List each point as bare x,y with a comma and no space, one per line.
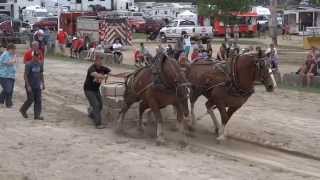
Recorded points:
223,9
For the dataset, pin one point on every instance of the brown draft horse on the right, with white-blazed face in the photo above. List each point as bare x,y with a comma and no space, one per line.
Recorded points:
227,90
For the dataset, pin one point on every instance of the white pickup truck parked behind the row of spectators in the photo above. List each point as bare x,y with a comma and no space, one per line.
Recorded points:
177,27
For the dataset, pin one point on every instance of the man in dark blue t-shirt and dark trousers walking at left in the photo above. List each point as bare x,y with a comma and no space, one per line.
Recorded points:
34,83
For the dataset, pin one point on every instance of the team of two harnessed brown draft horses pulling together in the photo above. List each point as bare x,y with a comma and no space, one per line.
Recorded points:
227,85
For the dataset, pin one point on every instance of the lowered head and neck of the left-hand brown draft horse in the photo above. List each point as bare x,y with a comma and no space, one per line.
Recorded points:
175,78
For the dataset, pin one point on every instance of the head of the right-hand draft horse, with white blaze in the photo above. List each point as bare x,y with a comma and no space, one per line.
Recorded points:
264,72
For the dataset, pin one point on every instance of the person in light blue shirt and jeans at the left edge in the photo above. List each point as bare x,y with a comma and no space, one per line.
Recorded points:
8,63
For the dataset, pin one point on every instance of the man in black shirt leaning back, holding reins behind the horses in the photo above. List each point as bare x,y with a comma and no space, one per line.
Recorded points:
95,76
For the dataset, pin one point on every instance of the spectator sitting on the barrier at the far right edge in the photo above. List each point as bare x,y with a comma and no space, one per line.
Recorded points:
308,70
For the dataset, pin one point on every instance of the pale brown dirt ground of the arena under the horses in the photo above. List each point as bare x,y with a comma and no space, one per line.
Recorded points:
66,146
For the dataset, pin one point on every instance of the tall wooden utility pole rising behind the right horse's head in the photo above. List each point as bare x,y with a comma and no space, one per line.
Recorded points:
274,22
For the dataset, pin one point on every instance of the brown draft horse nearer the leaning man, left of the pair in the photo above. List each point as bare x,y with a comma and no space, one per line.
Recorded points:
140,88
